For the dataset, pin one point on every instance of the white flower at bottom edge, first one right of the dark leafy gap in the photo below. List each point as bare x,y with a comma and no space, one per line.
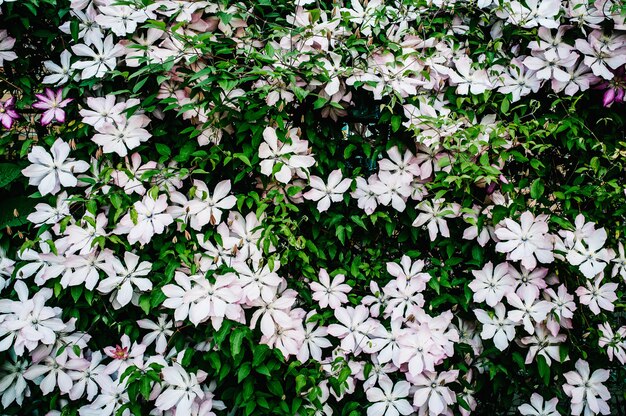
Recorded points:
389,399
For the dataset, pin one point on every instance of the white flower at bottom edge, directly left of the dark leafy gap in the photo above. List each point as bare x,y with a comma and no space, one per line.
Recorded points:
183,388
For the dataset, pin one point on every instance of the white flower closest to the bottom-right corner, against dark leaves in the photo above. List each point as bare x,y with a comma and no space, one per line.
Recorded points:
586,390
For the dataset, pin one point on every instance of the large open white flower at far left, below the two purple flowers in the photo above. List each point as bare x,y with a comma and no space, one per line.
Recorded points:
51,170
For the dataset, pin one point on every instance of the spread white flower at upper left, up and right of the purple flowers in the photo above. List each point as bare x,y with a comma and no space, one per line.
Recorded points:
100,60
